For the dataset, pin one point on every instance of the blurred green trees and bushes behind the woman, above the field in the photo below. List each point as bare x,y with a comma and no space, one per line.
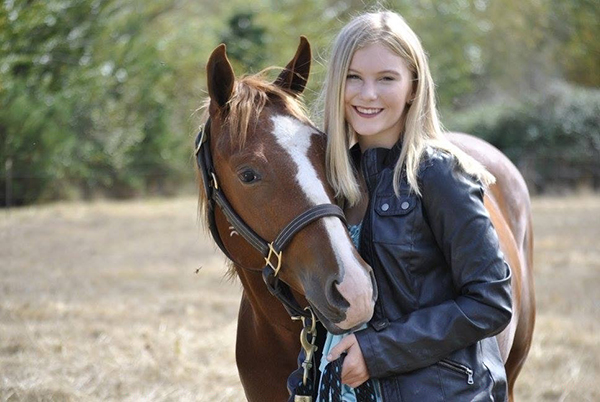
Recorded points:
97,97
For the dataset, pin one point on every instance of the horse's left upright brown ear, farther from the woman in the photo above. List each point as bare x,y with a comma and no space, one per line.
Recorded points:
220,77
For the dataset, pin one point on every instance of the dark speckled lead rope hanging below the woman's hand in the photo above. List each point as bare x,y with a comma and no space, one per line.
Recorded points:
331,385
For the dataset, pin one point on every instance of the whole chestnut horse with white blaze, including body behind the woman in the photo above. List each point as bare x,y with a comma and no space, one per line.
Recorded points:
270,164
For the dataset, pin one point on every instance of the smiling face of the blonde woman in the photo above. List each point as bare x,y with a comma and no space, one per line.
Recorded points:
378,88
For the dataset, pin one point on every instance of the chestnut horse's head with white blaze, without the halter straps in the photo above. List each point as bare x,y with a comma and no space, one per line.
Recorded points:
270,162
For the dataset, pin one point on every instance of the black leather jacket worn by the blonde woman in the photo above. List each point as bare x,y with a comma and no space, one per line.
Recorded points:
444,287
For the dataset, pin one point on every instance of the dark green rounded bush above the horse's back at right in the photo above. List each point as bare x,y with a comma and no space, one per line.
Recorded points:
554,137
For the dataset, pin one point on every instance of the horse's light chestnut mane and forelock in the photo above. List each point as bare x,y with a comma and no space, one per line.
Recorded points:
250,95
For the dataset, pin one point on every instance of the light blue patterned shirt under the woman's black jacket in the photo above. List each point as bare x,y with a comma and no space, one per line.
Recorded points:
347,394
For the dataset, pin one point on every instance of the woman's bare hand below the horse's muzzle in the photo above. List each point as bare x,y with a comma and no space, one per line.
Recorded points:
354,370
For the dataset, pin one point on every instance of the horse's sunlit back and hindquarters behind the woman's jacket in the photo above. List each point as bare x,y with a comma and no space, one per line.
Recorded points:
509,206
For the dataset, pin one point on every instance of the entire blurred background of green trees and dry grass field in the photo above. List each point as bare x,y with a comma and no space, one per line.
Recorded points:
109,290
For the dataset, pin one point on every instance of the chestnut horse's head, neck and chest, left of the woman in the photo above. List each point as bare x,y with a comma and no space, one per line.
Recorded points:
268,161
